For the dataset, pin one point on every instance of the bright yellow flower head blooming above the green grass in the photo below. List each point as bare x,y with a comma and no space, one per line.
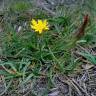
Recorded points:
39,26
